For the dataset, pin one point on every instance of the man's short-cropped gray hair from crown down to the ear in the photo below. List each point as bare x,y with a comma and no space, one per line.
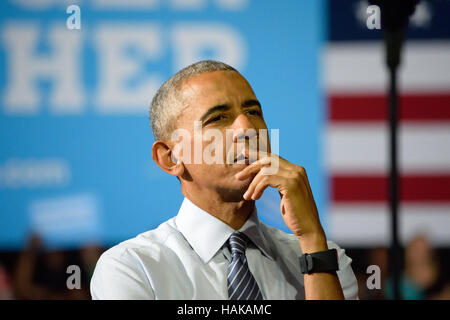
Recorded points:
166,104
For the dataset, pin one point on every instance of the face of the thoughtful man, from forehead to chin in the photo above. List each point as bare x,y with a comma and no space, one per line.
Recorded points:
224,102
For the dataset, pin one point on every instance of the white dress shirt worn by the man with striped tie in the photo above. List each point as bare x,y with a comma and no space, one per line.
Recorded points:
186,257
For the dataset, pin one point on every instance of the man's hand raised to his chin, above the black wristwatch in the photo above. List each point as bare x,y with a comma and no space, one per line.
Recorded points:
297,206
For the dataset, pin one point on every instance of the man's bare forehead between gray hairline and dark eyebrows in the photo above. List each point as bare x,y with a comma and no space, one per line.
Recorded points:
208,89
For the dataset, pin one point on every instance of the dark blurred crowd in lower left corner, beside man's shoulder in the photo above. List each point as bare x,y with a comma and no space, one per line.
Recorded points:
39,273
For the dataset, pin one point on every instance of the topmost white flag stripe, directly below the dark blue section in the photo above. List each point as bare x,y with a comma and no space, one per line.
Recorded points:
359,67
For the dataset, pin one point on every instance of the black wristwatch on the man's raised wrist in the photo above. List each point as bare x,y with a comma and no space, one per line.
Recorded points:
323,261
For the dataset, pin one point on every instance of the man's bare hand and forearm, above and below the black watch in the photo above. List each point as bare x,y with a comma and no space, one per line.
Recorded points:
299,212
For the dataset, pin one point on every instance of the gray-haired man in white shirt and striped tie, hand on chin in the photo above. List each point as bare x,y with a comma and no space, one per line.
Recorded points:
216,248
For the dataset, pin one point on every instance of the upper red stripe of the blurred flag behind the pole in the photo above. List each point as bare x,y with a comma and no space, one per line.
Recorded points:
373,107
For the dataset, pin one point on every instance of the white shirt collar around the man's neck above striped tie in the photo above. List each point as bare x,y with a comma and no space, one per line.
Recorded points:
206,234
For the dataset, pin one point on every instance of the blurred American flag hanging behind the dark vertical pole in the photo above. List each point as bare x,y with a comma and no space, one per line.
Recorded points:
356,135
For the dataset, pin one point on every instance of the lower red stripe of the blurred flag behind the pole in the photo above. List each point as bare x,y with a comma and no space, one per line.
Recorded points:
374,188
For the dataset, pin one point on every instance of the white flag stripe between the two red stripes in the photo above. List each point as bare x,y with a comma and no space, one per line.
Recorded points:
356,148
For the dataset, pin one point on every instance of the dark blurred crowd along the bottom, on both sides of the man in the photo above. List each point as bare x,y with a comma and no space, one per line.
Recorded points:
38,273
